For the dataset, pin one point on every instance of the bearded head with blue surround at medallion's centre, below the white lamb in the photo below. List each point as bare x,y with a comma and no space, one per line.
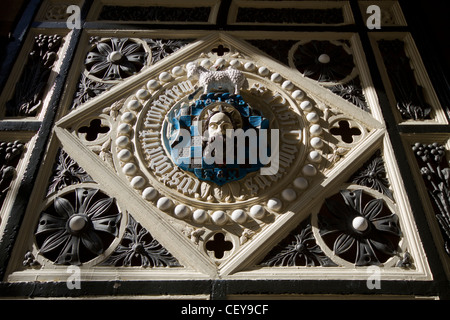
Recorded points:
219,137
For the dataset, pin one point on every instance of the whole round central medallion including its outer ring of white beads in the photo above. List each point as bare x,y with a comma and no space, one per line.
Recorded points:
218,140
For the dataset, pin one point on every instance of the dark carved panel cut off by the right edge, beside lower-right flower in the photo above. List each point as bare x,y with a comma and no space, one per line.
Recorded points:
436,175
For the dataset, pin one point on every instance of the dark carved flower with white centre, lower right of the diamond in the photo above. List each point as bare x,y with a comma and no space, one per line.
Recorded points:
358,228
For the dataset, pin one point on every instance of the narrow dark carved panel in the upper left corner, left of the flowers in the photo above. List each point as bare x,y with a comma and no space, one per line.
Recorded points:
29,90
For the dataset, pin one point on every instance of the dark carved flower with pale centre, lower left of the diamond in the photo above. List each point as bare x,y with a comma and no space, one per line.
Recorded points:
78,227
